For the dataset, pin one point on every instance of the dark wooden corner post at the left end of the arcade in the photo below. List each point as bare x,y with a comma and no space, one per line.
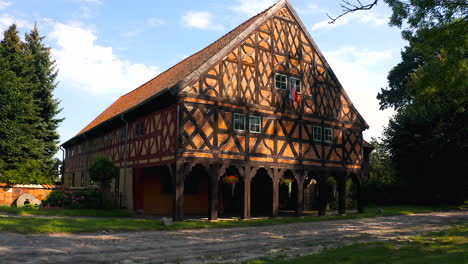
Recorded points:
178,197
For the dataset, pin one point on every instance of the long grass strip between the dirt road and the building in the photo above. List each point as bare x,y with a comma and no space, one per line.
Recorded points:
78,225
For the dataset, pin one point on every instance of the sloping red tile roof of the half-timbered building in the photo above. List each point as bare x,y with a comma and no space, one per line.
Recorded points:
169,78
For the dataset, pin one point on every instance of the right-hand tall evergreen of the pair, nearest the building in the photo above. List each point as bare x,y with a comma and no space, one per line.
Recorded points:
43,78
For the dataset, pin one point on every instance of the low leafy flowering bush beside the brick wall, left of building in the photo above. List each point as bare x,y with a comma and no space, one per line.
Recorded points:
76,199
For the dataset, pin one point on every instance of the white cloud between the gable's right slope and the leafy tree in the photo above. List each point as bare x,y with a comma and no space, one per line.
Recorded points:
362,77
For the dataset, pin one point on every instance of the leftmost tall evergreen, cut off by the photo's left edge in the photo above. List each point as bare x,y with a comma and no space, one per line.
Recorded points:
19,110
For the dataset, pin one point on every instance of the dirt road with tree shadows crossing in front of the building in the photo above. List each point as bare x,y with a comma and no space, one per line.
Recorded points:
217,245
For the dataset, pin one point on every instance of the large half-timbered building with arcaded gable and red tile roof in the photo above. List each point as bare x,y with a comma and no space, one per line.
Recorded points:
260,105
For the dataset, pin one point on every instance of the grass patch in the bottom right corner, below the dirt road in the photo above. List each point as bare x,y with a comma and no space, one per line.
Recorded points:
450,246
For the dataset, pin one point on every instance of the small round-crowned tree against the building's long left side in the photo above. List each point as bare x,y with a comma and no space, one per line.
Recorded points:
103,171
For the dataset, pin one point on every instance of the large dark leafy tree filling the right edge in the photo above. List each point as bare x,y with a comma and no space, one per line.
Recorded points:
428,136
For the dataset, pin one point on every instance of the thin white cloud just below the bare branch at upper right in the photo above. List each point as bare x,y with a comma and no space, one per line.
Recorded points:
358,17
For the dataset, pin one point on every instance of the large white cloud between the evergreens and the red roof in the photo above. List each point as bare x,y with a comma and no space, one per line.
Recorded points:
96,69
